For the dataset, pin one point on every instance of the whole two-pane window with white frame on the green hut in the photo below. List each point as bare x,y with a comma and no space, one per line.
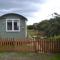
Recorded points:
12,25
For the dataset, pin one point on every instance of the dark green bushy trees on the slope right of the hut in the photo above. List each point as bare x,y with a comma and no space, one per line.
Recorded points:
50,27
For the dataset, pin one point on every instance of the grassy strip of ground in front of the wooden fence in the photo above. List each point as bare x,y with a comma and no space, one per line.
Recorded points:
28,56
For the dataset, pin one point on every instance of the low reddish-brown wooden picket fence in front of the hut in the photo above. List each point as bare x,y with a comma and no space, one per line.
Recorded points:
28,45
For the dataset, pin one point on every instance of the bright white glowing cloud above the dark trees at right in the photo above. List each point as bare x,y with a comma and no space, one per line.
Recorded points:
46,10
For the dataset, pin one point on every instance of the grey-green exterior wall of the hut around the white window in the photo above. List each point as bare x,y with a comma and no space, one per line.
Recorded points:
4,34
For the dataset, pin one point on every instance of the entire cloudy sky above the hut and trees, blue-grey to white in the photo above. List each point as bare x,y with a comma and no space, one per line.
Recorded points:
34,10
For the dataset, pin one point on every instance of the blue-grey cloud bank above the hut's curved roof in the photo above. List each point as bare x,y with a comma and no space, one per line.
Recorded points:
25,7
